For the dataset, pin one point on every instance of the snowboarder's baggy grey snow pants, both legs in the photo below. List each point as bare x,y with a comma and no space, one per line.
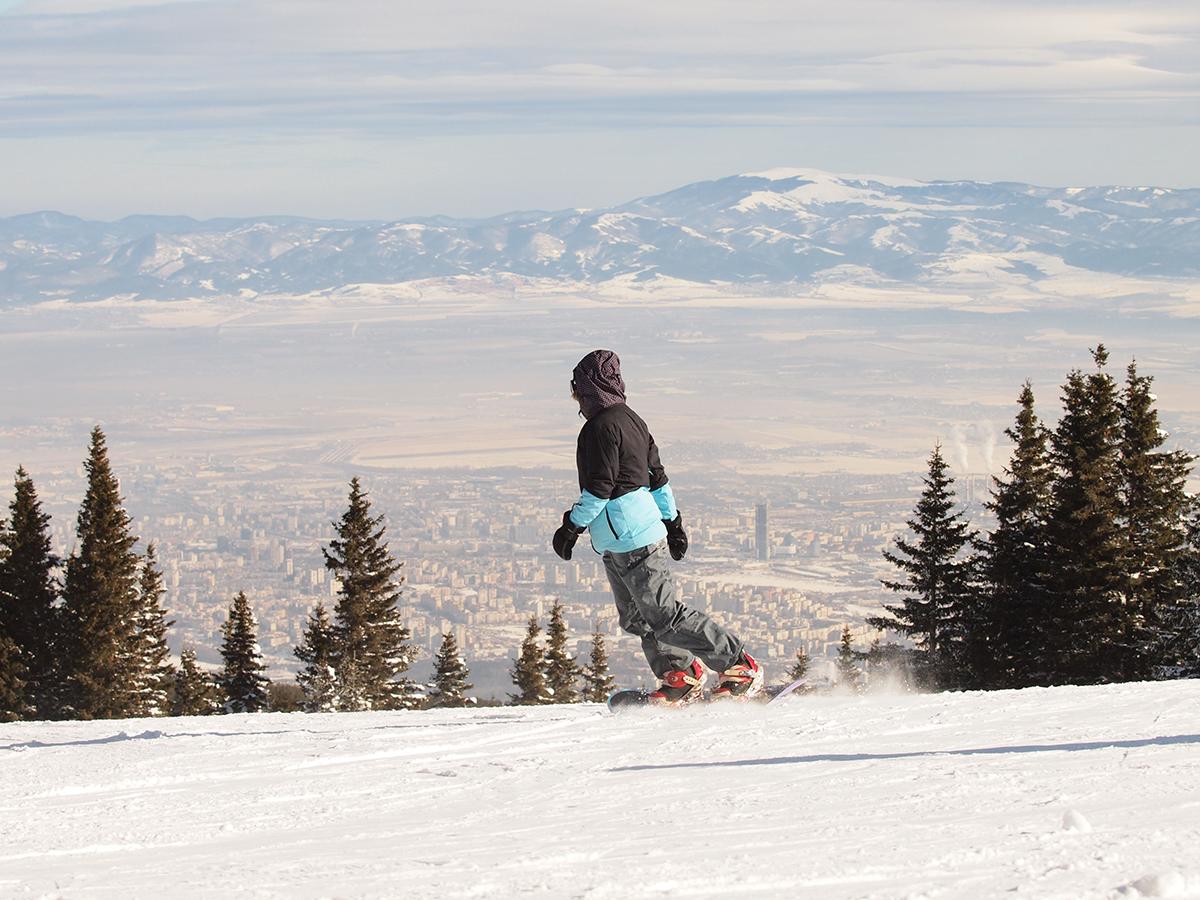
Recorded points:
650,608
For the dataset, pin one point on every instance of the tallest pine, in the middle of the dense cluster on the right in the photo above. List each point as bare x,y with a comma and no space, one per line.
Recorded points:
1089,633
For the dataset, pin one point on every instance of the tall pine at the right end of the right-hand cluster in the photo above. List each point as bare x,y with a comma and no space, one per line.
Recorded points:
1155,503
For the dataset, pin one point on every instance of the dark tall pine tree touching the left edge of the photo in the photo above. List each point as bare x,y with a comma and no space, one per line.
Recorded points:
29,597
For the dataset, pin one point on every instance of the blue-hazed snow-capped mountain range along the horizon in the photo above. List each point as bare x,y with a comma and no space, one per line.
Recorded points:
784,226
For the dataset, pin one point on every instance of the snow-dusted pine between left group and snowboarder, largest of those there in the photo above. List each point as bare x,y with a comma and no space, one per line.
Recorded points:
373,644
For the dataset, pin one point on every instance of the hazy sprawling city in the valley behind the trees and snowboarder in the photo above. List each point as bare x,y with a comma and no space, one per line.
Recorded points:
785,562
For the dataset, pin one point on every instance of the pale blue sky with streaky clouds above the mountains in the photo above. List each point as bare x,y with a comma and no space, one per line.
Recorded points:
391,109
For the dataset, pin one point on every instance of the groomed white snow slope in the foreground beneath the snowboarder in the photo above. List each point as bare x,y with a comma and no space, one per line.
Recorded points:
1076,793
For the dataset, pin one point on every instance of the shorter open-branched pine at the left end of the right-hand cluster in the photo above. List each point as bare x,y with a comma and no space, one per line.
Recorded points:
939,580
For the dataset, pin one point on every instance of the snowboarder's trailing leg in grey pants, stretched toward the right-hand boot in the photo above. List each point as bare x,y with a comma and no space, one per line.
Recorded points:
647,583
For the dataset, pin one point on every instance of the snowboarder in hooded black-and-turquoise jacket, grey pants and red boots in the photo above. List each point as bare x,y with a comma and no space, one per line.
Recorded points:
628,506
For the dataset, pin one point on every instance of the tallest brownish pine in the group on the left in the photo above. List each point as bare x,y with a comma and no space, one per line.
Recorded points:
100,596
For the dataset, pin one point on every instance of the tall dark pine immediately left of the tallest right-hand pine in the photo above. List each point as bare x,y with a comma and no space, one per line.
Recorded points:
1004,638
